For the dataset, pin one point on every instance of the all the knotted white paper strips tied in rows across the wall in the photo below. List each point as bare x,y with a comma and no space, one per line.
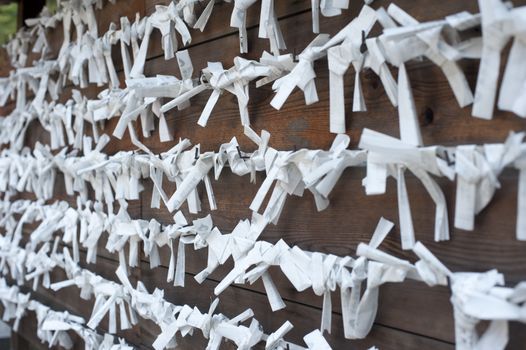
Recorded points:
117,178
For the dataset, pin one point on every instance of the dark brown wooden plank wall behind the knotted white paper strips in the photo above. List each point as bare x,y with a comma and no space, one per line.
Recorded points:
411,315
